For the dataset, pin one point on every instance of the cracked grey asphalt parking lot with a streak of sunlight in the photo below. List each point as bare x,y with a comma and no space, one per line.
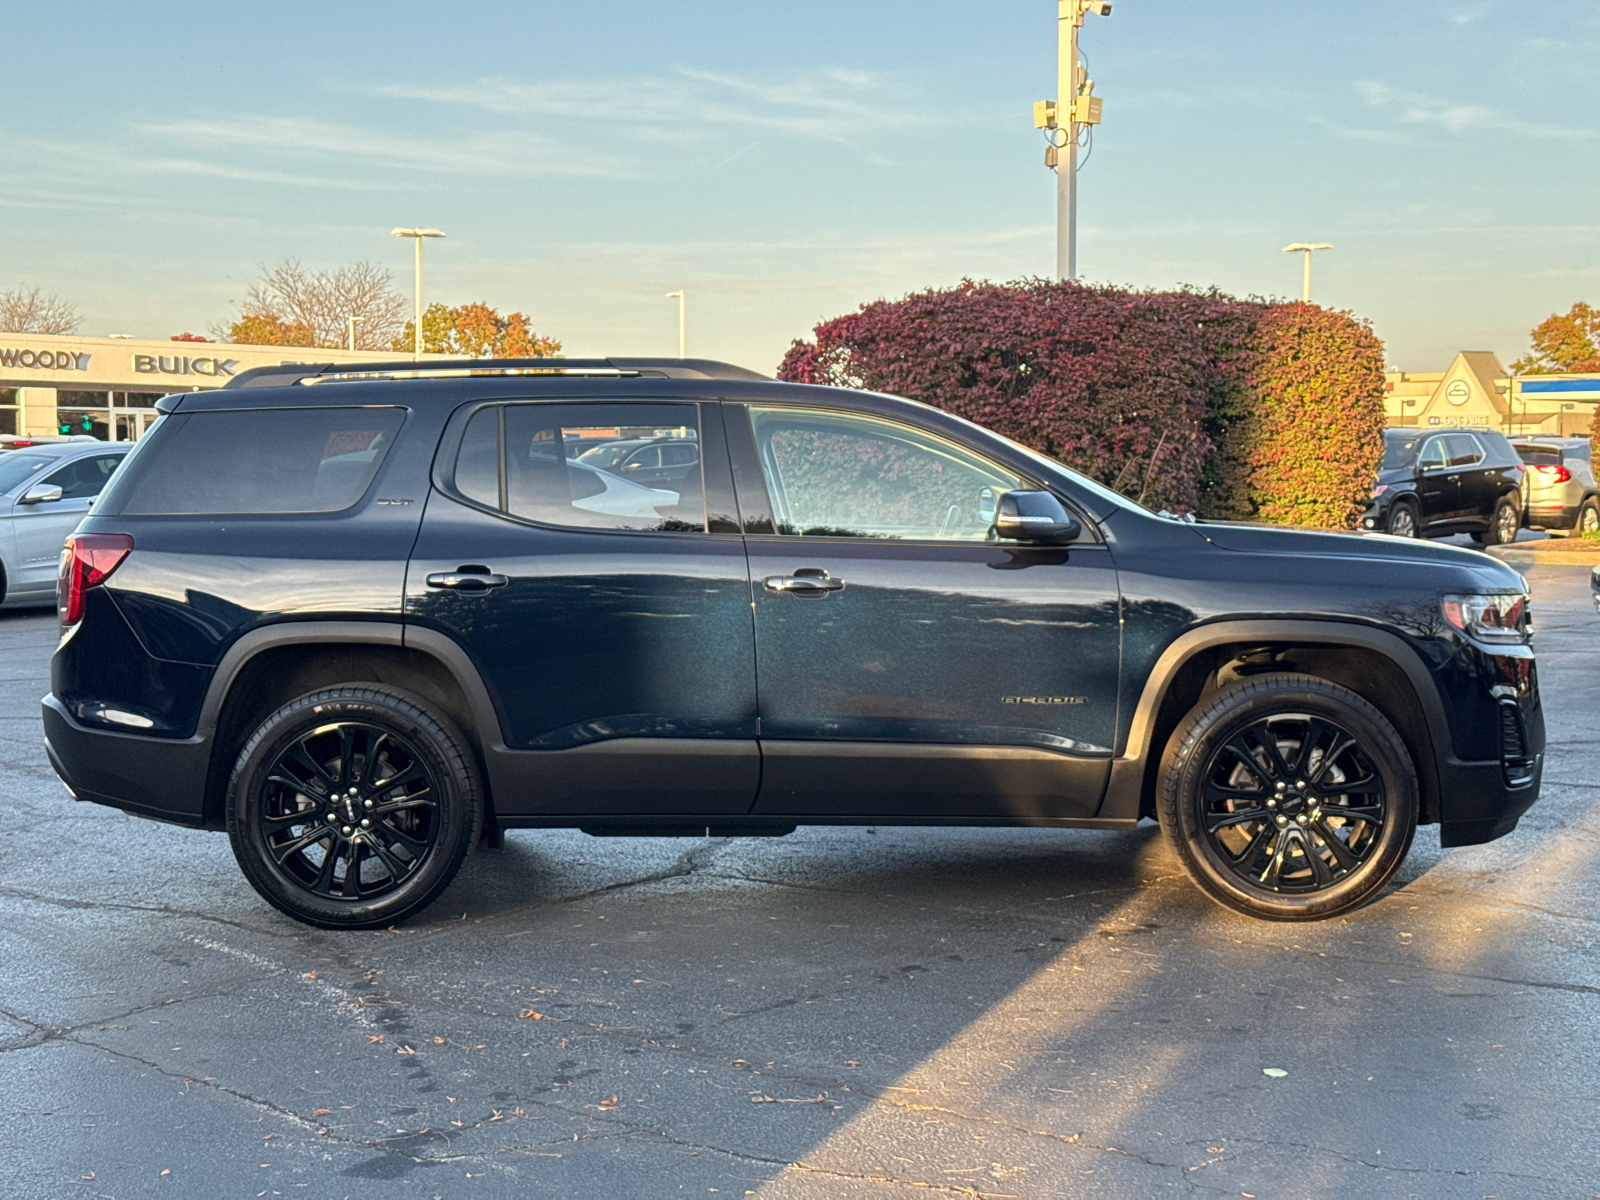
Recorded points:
838,1014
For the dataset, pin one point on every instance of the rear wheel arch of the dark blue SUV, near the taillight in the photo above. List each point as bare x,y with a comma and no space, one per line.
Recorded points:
271,666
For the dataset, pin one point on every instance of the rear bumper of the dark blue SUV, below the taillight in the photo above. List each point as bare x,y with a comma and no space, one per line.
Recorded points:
153,777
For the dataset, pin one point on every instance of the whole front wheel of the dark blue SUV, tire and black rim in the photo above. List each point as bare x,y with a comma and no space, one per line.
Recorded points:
1297,858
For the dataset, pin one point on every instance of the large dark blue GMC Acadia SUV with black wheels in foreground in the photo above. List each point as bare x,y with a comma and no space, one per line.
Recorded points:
362,620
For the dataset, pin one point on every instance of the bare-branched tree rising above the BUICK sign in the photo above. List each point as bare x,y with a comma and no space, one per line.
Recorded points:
322,303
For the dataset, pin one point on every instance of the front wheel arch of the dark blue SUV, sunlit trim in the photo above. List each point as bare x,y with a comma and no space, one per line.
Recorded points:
1372,663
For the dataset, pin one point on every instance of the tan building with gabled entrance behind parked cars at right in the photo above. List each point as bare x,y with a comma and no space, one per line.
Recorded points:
1479,391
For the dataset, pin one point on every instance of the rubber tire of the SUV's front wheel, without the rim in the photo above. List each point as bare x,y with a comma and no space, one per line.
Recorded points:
1226,714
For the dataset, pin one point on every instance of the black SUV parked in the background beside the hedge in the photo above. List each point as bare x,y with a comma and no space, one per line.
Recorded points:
1438,482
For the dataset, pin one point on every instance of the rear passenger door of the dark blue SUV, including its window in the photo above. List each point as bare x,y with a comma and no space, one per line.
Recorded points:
610,622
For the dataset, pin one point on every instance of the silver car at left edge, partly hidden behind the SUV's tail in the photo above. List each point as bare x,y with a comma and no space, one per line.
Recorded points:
46,490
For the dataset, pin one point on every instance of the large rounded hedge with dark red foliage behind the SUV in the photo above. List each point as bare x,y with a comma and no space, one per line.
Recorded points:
1186,401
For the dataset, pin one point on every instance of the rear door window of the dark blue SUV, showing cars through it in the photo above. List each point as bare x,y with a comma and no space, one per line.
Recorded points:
542,463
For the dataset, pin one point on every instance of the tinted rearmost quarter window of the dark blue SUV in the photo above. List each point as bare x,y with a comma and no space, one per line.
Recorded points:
266,460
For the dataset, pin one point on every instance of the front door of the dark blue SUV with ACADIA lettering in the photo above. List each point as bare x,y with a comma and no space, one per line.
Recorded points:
908,666
